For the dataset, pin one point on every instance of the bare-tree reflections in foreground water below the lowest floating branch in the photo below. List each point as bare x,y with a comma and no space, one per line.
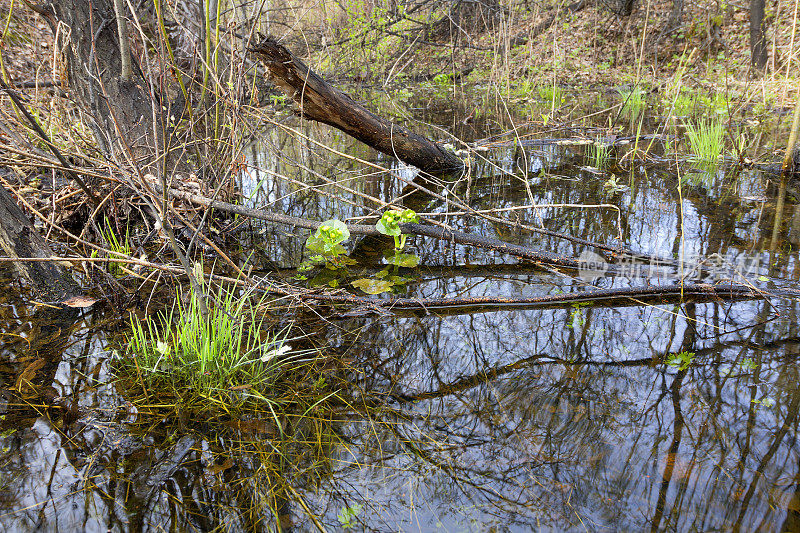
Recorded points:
519,418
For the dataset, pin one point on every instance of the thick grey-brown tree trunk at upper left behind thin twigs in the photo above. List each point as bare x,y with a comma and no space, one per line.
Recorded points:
127,115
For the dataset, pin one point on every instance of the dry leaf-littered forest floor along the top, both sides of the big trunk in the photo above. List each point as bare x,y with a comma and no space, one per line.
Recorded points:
706,54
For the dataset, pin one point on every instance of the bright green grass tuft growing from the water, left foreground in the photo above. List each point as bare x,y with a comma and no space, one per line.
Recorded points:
225,359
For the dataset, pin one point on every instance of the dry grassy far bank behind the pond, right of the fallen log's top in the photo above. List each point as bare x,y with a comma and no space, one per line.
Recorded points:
707,49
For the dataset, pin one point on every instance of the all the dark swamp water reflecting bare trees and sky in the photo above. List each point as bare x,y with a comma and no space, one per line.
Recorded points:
597,417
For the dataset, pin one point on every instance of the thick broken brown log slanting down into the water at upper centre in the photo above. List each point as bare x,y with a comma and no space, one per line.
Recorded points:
317,100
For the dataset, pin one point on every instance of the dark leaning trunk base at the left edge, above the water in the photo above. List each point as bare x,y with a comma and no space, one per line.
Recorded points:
19,239
